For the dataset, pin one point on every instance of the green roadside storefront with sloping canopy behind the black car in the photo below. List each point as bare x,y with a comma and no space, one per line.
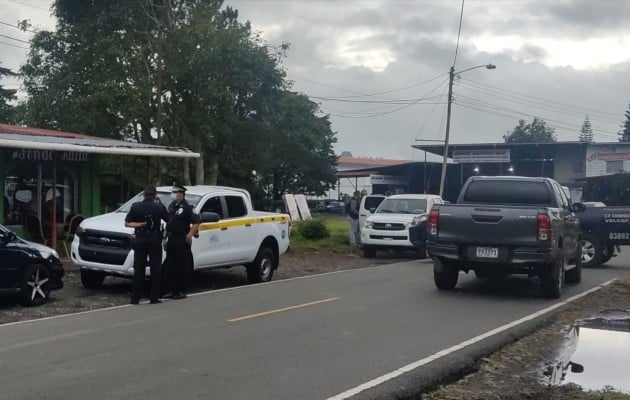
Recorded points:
51,176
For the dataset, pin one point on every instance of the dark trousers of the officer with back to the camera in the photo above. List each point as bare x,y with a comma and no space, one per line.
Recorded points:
143,248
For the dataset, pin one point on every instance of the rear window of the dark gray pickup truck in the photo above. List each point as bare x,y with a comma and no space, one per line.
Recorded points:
496,191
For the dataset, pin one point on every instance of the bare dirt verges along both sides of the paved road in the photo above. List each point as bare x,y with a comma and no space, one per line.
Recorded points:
515,372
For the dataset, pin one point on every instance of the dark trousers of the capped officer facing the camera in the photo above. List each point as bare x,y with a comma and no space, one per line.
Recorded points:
178,263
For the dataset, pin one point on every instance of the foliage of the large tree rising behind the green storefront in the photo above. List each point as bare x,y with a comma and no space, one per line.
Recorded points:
182,73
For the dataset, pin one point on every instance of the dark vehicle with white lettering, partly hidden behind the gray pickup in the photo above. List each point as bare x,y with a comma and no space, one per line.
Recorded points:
604,229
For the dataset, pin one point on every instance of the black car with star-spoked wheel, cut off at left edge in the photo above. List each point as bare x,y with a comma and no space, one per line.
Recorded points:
28,270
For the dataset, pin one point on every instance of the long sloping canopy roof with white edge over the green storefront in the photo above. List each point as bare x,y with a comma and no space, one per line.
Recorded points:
12,136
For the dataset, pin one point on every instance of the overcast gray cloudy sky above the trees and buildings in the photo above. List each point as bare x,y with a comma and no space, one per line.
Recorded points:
380,68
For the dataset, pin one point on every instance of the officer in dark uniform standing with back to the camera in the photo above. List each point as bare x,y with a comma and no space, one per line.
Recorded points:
146,217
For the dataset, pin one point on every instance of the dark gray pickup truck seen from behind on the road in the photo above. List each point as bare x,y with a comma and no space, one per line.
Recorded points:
507,225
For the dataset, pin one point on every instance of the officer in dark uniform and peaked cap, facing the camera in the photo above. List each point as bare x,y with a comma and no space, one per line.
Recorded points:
182,226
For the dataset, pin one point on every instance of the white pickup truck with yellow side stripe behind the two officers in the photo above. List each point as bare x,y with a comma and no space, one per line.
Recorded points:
241,236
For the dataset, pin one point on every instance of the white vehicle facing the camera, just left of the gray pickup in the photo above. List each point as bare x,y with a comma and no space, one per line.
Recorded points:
388,227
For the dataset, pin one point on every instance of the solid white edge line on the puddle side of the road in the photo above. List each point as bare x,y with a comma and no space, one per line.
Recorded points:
410,367
